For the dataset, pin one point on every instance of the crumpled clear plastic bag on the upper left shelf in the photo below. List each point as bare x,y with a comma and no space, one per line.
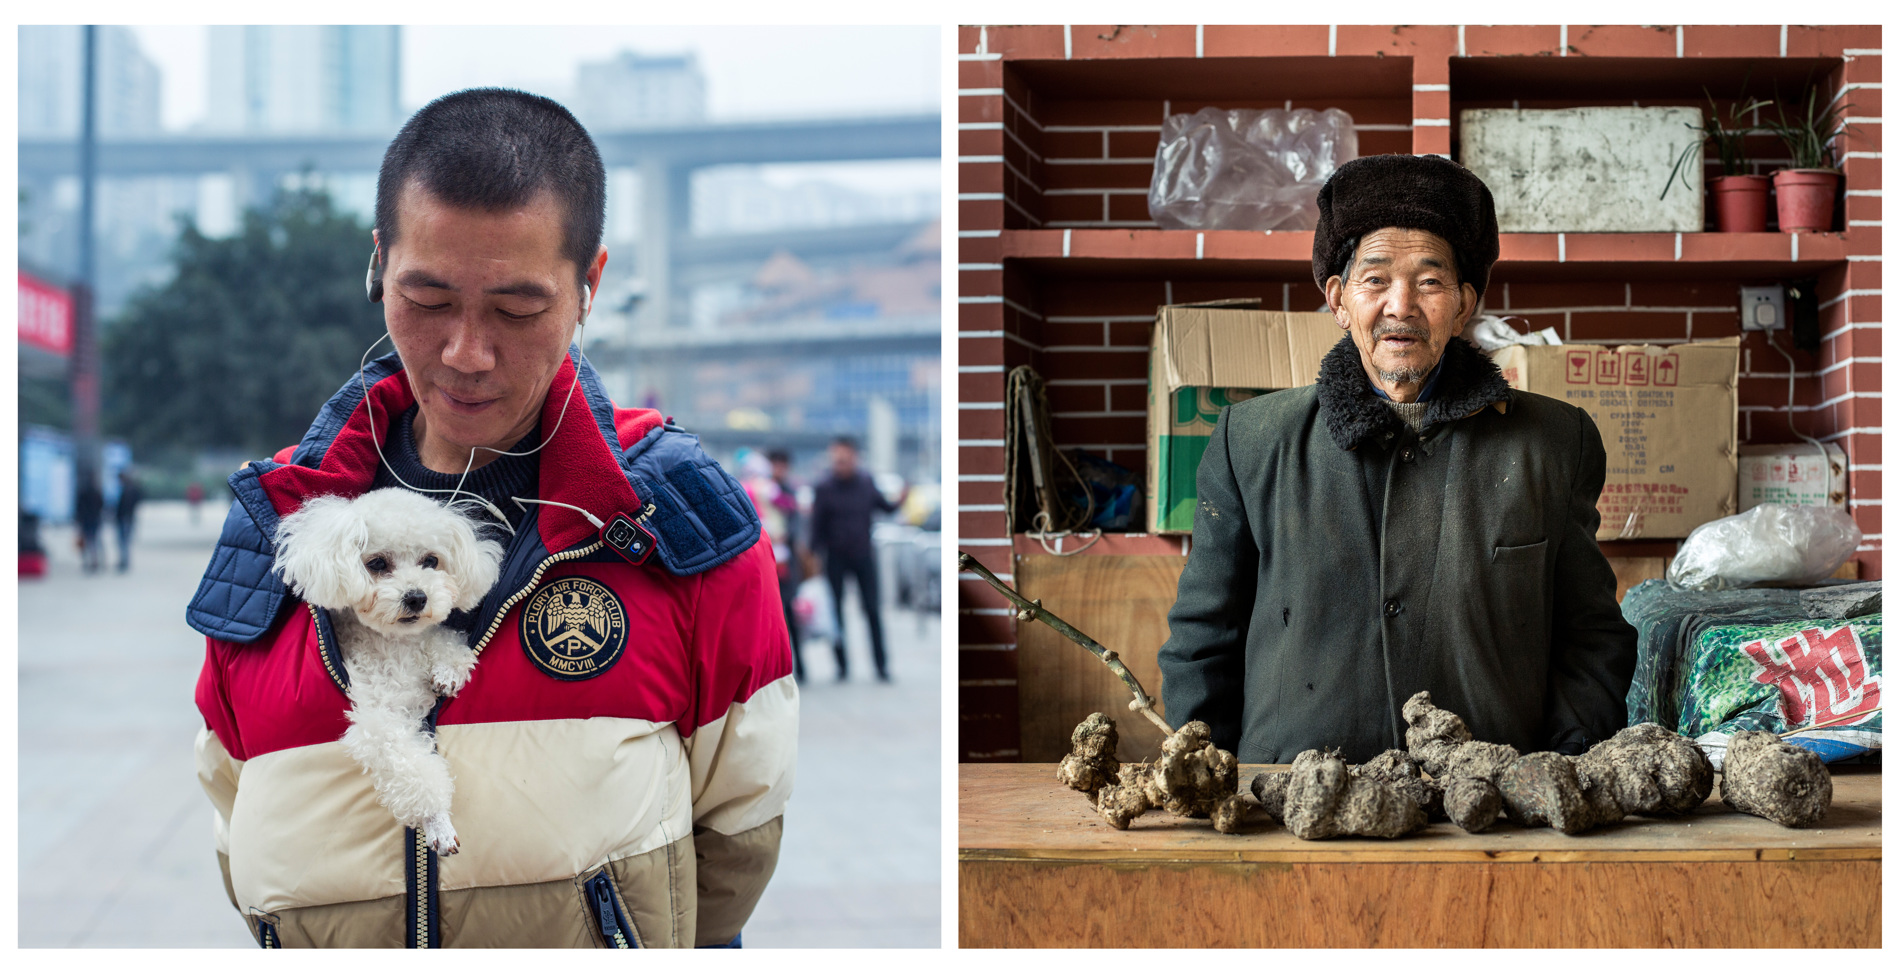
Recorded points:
1247,170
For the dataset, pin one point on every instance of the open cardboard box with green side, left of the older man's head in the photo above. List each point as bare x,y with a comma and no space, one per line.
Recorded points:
1204,360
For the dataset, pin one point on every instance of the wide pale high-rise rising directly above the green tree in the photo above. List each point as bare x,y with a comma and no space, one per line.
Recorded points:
305,79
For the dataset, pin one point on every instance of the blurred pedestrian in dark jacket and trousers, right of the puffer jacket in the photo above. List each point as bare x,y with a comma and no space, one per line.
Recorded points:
841,531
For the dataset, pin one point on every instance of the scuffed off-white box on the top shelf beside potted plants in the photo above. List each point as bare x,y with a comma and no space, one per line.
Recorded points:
1587,170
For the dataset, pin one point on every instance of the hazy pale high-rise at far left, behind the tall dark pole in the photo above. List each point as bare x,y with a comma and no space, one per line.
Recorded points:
50,83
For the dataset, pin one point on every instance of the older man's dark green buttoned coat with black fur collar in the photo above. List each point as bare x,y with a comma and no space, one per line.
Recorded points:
1342,563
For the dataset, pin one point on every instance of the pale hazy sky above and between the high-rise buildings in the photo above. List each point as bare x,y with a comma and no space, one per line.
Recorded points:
751,71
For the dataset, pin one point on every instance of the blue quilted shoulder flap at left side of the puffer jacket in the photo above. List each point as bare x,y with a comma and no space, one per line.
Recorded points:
240,597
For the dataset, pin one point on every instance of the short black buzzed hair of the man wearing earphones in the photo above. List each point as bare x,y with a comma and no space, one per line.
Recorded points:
495,149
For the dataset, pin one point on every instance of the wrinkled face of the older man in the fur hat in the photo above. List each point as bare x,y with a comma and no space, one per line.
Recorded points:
1403,305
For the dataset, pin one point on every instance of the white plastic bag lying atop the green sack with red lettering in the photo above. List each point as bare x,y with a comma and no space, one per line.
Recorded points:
1770,546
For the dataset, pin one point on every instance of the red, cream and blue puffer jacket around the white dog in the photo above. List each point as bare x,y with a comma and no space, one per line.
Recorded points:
628,794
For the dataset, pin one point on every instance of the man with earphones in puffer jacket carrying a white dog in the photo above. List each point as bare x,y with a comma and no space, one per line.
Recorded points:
624,749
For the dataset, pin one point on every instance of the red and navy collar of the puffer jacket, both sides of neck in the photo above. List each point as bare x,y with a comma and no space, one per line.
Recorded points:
582,464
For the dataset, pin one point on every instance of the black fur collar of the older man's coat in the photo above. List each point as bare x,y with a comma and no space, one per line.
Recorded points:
1356,413
